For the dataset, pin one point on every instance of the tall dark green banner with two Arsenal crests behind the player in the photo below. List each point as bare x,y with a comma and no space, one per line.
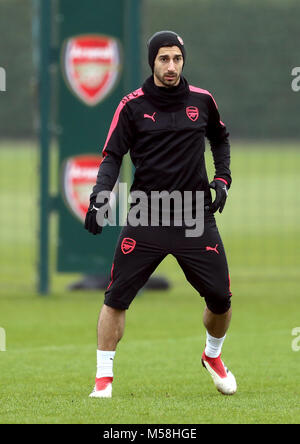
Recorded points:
91,41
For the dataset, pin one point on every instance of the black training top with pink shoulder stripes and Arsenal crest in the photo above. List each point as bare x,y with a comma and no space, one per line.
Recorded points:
166,140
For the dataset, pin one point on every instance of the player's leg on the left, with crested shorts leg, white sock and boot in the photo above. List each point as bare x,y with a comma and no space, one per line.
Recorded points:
137,255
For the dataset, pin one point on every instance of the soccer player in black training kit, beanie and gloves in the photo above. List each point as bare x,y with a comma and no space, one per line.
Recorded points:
163,125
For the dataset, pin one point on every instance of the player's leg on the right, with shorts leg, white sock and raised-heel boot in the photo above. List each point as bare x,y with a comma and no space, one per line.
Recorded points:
204,263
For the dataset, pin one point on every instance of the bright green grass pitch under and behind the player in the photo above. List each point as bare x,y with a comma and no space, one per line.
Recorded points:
48,369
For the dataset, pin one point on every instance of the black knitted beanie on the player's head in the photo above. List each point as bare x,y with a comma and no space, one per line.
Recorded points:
160,39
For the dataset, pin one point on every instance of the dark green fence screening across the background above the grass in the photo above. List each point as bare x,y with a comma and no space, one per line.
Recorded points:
242,51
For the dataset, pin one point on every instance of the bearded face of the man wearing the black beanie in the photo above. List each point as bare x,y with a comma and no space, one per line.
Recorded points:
168,66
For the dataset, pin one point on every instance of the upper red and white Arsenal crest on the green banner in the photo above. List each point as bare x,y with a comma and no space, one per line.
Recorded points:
91,66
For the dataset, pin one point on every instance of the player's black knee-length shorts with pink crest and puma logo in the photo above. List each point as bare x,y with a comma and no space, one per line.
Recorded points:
141,249
